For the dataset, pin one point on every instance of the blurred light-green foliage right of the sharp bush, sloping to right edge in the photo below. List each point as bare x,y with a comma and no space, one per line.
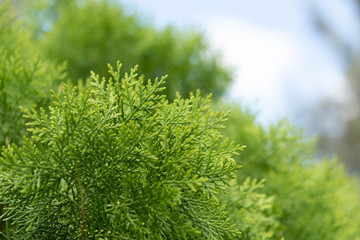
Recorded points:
315,200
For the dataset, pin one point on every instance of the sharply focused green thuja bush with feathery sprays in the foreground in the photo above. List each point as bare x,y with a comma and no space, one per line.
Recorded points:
119,162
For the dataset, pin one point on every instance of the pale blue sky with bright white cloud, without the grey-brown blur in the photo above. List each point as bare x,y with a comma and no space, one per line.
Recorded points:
281,61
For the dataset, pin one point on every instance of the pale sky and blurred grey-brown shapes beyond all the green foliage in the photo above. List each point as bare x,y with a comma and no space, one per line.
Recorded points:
291,59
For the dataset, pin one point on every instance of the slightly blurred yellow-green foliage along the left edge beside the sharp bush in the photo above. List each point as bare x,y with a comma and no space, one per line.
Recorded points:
25,78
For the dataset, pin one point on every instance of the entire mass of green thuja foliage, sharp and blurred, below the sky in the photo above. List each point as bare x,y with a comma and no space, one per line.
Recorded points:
114,159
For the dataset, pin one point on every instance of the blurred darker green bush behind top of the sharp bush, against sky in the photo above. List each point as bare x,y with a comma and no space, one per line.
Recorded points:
89,34
